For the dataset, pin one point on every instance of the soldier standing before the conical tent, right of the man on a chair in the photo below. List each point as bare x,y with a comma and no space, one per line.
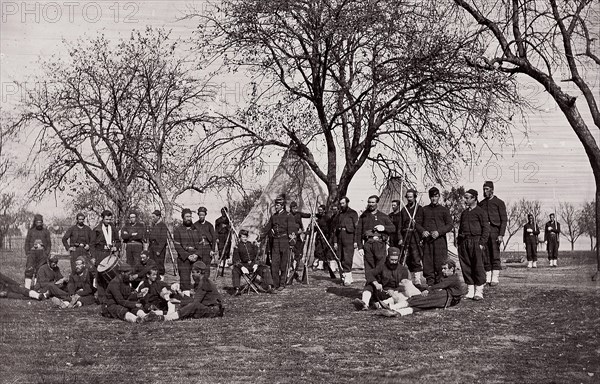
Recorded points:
280,230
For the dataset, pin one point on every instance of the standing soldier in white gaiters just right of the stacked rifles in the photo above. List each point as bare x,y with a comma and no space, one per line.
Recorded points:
344,243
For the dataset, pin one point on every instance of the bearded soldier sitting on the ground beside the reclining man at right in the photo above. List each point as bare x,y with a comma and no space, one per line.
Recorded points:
387,283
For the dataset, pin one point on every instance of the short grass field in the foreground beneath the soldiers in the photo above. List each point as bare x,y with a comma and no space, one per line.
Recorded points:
539,326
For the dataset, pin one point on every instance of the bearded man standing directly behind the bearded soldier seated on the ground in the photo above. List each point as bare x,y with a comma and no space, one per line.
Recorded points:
372,233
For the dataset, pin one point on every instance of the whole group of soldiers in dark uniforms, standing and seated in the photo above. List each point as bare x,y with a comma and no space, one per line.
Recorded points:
412,234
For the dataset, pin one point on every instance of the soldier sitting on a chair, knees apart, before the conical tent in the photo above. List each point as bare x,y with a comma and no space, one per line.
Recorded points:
244,260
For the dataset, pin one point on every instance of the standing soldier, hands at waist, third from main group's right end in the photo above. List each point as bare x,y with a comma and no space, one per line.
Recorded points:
436,223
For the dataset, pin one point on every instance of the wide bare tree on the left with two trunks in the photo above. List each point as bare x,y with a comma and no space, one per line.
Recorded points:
111,113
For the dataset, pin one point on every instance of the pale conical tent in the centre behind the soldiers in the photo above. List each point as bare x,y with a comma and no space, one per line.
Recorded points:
292,178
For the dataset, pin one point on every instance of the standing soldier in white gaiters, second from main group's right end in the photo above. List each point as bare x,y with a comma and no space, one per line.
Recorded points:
473,233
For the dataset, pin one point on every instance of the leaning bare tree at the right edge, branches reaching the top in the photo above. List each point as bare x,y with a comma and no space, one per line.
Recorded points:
549,41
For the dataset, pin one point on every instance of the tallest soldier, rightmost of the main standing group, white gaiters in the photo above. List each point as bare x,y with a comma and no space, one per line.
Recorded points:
496,212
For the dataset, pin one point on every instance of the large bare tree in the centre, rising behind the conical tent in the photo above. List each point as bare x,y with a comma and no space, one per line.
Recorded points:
381,82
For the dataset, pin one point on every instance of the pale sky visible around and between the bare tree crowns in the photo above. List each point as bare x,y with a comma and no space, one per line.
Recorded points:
547,164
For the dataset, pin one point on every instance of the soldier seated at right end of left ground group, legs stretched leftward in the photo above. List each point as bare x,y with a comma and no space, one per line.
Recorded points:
206,300
